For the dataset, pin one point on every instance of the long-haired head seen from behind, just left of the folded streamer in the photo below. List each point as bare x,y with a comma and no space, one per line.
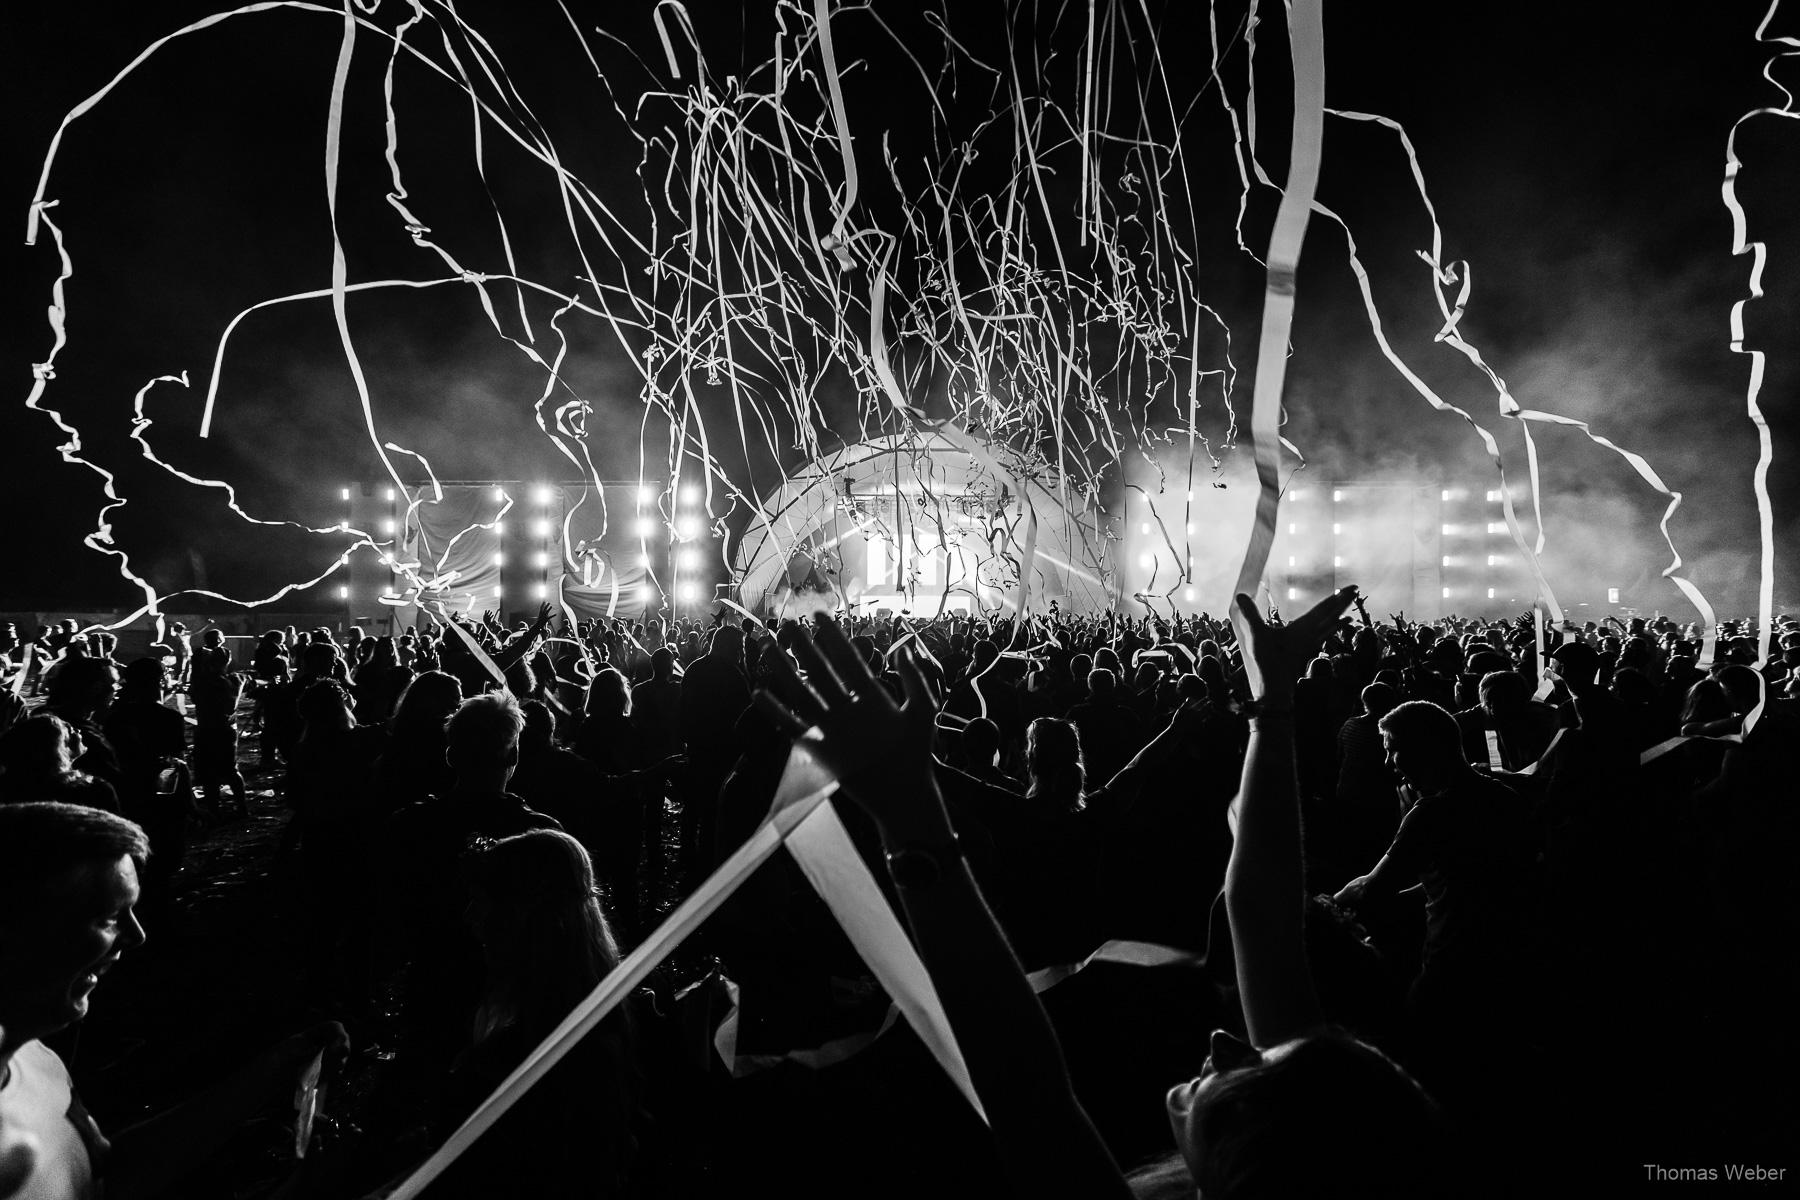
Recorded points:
535,911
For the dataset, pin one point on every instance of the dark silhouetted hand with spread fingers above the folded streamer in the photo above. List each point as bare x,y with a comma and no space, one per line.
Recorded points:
879,749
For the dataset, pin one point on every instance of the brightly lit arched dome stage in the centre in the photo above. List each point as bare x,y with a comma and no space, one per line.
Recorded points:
917,524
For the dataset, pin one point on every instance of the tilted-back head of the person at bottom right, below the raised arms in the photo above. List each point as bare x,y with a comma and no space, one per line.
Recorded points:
1317,1116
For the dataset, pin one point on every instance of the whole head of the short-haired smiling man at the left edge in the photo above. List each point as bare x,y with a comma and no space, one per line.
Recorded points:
69,882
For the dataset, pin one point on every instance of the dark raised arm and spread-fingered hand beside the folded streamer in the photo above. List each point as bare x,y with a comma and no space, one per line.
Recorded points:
881,753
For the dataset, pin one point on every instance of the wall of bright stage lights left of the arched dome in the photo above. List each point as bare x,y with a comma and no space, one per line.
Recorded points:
624,550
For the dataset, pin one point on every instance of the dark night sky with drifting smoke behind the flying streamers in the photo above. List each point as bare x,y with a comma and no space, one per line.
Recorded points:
1574,156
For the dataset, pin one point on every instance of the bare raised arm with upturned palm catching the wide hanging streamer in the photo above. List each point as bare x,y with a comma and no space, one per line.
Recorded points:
1266,895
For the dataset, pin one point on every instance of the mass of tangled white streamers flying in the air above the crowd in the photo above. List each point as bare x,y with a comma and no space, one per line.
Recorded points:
1016,267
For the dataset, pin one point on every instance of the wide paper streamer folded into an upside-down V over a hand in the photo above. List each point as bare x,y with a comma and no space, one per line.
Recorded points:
841,877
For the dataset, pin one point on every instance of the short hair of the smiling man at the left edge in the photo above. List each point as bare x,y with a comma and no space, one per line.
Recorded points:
44,843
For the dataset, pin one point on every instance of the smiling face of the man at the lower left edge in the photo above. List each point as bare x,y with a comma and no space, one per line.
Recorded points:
55,958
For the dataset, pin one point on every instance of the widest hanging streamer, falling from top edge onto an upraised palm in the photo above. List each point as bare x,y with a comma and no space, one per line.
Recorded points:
1308,44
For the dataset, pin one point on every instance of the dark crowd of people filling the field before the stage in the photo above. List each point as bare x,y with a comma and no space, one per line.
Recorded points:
1455,908
